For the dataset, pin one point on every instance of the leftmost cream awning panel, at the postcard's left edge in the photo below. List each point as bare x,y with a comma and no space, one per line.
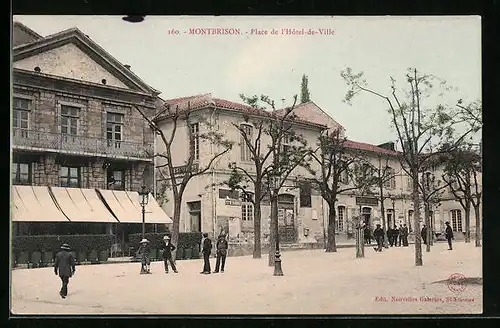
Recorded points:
34,204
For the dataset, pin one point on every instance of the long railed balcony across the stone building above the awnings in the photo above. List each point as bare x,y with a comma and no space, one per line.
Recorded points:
78,145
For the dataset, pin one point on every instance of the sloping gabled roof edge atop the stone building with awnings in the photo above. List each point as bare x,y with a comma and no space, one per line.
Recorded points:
74,35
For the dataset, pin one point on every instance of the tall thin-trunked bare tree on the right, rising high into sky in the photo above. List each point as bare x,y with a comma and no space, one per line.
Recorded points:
421,128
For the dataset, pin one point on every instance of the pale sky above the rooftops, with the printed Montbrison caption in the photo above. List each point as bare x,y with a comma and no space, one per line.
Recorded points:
227,65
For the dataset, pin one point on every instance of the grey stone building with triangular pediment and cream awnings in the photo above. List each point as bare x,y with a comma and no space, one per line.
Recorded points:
77,137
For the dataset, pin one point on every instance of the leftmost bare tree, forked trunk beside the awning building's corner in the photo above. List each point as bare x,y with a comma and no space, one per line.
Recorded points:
178,180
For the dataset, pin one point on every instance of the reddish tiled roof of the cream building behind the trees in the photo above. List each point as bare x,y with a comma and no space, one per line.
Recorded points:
206,100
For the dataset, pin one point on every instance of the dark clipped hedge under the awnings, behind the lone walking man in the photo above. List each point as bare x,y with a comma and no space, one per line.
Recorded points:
52,243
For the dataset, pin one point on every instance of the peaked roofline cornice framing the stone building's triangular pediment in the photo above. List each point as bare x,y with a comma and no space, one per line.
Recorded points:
87,41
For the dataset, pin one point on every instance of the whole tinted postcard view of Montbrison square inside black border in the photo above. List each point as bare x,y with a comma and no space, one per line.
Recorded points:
259,166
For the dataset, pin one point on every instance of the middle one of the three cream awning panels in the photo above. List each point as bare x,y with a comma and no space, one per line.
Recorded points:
82,205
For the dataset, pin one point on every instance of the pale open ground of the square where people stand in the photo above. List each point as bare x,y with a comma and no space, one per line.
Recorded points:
314,282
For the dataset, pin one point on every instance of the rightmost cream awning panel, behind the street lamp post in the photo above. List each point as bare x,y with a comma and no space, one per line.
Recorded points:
125,205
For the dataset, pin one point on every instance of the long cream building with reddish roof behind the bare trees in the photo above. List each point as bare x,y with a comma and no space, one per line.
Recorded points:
209,206
